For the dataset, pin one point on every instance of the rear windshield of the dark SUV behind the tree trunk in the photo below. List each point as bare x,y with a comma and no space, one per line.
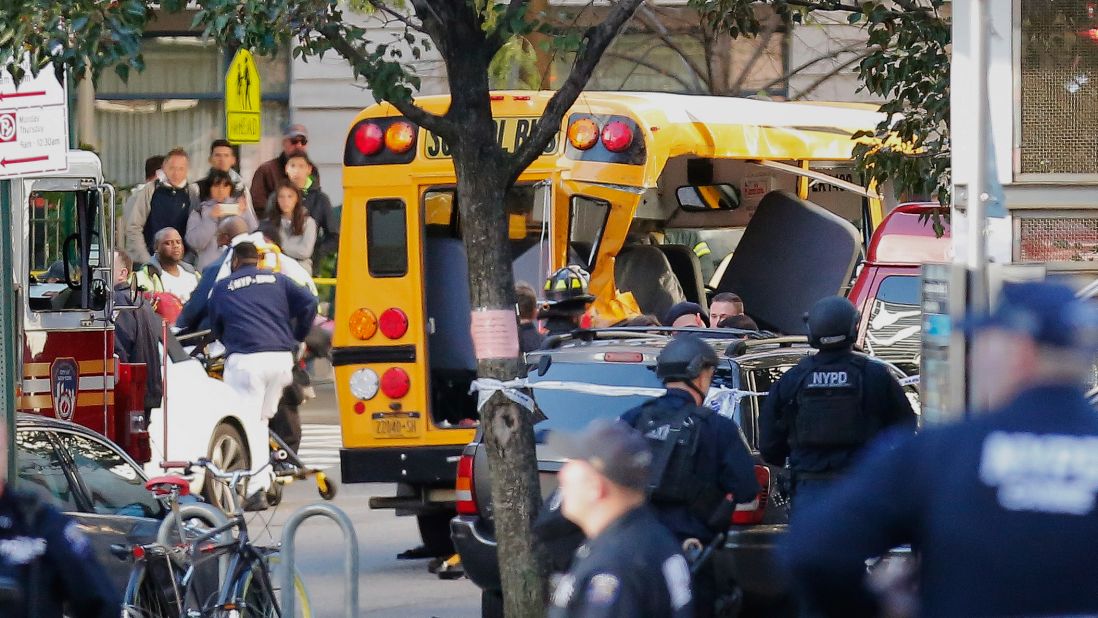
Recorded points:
568,411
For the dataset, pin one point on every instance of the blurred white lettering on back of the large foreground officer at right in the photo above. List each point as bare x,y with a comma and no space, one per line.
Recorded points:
1043,474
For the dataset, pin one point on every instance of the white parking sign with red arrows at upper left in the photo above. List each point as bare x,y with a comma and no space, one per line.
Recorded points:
33,125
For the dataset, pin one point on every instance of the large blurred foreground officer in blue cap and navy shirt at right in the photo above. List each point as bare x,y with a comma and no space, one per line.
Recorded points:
1002,508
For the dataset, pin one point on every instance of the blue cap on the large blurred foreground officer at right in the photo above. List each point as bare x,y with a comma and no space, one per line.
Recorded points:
1050,313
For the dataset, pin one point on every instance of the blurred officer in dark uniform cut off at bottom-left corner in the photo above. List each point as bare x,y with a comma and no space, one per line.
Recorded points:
47,564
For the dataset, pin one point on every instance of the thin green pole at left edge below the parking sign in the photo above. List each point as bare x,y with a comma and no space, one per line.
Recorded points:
8,344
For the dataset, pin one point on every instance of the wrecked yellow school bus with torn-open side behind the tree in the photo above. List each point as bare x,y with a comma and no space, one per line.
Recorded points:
619,168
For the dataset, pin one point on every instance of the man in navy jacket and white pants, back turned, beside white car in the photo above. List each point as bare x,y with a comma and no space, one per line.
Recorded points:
261,318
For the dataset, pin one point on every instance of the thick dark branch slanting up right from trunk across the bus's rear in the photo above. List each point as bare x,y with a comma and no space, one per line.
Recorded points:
598,39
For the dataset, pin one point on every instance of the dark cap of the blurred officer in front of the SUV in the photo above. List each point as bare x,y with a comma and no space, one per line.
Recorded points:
613,448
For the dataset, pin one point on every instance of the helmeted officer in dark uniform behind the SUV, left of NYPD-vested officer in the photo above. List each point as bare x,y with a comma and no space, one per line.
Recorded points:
700,458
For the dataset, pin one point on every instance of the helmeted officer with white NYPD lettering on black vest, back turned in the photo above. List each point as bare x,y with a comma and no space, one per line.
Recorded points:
824,411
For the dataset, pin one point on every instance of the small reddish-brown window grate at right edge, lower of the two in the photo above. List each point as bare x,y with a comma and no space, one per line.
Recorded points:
1063,240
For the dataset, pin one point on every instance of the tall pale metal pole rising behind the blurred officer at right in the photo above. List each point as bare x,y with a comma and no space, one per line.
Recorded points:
979,192
